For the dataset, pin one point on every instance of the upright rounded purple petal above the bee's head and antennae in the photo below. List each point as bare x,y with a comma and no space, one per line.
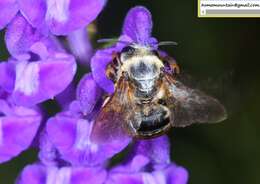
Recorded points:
138,25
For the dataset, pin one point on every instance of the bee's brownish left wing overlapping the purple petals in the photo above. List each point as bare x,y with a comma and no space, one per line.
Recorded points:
111,121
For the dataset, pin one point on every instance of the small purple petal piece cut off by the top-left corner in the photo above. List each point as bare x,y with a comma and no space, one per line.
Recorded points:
8,8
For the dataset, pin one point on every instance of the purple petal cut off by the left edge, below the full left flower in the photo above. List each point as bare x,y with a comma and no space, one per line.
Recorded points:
18,126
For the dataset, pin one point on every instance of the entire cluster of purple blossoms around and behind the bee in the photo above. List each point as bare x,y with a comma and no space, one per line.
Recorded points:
40,68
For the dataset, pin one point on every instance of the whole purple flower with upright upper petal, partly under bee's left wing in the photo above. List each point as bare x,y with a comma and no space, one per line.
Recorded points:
76,125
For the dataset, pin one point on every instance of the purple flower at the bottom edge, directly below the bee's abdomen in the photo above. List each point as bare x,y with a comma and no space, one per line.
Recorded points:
149,163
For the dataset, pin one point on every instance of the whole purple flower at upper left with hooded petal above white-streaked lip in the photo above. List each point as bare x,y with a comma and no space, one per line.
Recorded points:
39,68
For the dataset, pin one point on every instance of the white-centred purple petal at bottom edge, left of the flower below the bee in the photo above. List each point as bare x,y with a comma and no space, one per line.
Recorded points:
40,174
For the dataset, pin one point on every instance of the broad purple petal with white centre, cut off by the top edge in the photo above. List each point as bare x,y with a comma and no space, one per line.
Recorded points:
61,16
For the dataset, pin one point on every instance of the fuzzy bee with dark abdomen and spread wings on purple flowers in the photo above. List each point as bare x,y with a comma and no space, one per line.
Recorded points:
149,99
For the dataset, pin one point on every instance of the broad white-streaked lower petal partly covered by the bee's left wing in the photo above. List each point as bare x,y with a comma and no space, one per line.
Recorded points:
77,148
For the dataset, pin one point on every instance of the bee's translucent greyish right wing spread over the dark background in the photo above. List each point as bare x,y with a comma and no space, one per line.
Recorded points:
193,106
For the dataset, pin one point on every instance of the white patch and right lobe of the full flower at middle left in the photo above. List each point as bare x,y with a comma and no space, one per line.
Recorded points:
39,81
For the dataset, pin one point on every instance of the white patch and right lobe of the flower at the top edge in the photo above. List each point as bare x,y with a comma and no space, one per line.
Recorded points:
65,16
